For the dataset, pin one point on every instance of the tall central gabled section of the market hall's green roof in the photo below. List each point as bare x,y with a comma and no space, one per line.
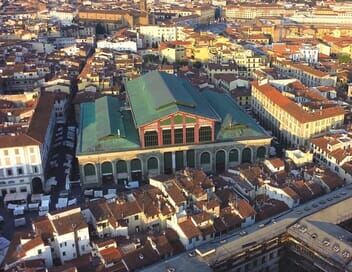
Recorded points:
158,94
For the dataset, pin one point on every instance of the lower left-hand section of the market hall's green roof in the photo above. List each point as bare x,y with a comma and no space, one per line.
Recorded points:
104,127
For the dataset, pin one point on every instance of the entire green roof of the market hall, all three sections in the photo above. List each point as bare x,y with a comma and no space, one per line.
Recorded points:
105,127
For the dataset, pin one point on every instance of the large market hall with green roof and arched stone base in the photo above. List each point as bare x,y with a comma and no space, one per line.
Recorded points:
166,124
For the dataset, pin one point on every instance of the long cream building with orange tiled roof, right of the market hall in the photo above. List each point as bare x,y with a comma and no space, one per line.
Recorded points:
292,124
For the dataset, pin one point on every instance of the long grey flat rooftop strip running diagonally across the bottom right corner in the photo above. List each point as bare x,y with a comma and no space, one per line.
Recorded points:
231,244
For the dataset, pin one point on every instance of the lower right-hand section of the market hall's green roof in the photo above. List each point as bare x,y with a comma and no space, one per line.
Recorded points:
235,122
